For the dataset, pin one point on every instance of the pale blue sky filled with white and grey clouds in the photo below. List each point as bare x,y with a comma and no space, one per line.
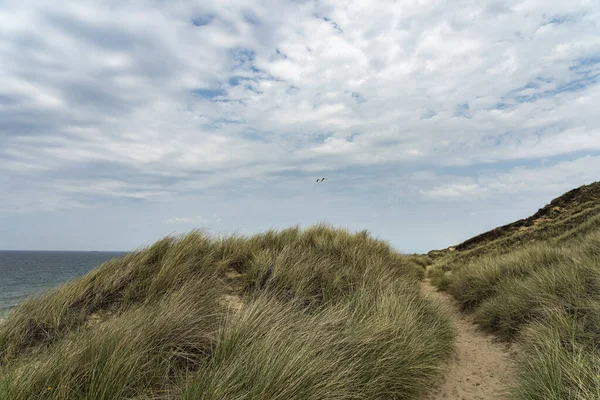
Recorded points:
125,121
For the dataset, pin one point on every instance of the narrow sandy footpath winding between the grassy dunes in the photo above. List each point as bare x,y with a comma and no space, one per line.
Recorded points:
480,368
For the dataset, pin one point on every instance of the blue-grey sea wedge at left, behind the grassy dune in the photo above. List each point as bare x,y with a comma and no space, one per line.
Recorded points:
26,273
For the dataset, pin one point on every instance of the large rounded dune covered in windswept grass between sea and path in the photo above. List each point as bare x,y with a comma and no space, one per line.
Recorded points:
326,314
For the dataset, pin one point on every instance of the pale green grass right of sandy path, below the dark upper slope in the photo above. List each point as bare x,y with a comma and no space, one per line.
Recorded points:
545,295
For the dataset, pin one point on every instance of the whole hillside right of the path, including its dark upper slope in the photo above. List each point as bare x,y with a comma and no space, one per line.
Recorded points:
537,281
